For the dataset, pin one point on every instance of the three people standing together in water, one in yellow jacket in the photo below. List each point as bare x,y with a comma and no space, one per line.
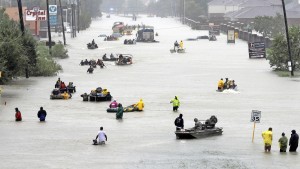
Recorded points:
283,141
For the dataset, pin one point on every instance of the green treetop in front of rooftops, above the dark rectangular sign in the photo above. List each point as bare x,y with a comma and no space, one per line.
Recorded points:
269,26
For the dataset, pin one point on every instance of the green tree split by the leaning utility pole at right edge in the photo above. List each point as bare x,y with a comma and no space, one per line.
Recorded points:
278,53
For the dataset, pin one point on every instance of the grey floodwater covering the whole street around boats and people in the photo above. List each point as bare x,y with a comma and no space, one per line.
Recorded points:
146,139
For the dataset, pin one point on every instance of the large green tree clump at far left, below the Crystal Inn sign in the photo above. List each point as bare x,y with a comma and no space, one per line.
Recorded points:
18,52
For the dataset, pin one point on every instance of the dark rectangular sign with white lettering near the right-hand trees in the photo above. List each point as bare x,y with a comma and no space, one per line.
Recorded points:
257,50
